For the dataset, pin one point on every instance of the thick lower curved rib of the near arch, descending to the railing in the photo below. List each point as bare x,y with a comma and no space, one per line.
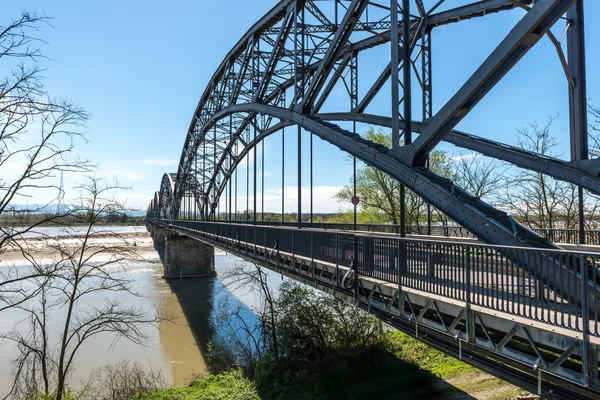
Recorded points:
488,224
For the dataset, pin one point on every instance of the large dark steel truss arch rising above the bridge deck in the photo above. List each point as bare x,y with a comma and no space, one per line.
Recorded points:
294,57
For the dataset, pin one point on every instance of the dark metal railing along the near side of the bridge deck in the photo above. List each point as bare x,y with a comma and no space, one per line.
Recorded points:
538,284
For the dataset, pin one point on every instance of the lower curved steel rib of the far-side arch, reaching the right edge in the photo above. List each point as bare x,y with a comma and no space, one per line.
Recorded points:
554,167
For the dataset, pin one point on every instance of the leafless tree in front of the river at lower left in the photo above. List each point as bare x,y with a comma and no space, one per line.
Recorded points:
84,267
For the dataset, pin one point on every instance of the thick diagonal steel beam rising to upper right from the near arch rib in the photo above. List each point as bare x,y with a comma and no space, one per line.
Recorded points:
526,33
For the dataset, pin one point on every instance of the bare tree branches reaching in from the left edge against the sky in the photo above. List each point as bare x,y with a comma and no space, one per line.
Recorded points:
37,135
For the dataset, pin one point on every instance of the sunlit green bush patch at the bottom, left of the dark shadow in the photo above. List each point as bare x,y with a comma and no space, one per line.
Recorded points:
229,386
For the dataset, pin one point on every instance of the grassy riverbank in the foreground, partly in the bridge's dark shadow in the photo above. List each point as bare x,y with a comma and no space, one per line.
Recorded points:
401,367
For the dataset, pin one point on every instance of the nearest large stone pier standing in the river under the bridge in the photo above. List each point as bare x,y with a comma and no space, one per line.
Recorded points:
188,258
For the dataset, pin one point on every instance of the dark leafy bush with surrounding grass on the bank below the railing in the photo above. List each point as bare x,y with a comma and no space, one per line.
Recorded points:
333,350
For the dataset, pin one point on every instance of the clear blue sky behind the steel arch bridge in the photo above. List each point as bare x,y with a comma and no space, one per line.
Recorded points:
140,67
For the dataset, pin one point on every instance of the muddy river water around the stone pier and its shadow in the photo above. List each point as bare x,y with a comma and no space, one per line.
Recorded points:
176,347
